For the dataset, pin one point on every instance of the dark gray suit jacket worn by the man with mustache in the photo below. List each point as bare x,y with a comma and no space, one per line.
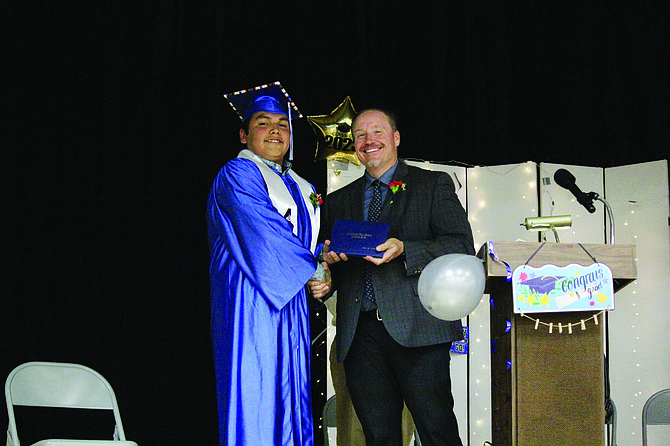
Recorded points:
429,219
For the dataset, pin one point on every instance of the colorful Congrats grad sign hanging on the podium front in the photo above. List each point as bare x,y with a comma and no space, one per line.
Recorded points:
556,289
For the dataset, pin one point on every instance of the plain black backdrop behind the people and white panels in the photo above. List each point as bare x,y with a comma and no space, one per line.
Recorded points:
115,126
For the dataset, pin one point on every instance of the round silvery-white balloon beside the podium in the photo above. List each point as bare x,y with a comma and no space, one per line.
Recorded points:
451,286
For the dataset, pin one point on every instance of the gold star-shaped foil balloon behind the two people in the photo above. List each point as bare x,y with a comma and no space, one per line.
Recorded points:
335,140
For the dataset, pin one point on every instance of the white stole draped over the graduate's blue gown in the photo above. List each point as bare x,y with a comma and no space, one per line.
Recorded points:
281,197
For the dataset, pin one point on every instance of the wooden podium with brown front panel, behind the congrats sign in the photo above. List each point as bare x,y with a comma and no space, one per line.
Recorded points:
548,388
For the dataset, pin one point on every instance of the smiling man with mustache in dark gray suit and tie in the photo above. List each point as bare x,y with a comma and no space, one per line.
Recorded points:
393,350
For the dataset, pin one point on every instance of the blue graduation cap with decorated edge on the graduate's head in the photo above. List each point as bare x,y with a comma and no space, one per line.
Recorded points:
270,98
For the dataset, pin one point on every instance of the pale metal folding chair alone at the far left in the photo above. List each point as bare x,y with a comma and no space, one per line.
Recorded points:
49,384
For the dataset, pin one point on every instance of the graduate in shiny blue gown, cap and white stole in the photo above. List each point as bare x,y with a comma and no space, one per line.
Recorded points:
263,221
